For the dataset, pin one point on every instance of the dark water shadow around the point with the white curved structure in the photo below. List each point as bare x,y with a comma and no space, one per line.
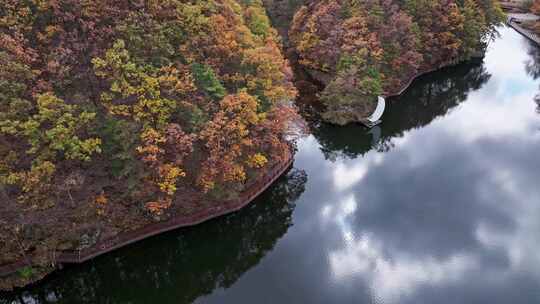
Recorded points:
429,97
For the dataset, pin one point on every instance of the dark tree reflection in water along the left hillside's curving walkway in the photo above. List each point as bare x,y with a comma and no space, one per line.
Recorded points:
180,266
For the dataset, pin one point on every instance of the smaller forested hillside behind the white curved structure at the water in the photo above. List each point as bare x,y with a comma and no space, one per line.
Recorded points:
361,49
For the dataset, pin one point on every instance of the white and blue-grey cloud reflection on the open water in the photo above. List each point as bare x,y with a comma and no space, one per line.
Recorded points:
450,203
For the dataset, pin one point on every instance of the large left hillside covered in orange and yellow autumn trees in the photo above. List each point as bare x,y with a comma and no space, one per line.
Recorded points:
113,111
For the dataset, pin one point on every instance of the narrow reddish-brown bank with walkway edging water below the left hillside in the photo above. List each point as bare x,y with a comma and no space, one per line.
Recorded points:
23,272
